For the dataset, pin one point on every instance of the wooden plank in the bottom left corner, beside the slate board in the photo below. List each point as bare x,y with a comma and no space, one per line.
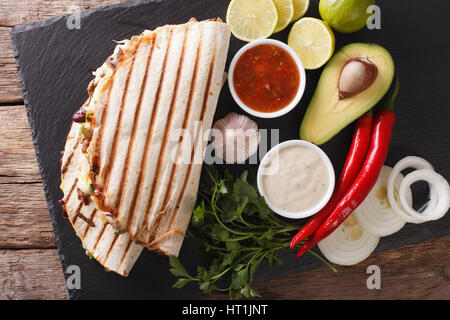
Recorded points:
31,274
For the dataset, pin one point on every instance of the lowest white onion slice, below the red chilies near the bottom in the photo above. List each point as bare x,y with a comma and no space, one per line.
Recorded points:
349,244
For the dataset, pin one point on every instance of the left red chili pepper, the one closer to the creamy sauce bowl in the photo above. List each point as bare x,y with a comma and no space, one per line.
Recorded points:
353,163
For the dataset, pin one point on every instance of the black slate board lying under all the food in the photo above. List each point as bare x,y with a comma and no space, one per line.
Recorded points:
55,66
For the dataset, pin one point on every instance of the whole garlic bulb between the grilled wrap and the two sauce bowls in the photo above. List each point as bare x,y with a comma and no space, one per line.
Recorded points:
235,138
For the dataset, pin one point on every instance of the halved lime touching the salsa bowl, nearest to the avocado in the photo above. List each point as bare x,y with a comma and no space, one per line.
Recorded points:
313,40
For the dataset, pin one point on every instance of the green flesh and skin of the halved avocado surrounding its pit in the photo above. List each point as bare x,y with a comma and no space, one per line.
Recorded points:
326,114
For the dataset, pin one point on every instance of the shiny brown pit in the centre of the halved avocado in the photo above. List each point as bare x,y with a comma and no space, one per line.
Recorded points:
357,75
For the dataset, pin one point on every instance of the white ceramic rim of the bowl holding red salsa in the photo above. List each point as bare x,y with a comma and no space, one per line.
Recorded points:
301,71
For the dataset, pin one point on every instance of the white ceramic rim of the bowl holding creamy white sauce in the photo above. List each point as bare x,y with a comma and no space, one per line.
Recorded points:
321,203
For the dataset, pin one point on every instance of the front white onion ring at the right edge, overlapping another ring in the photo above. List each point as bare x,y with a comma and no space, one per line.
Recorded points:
438,185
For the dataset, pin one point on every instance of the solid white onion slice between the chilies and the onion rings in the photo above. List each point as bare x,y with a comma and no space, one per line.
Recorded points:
375,213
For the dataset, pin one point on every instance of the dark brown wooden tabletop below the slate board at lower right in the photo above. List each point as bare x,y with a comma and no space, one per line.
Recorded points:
419,271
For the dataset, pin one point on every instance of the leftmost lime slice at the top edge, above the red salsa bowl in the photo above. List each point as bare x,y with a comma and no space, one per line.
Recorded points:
252,19
